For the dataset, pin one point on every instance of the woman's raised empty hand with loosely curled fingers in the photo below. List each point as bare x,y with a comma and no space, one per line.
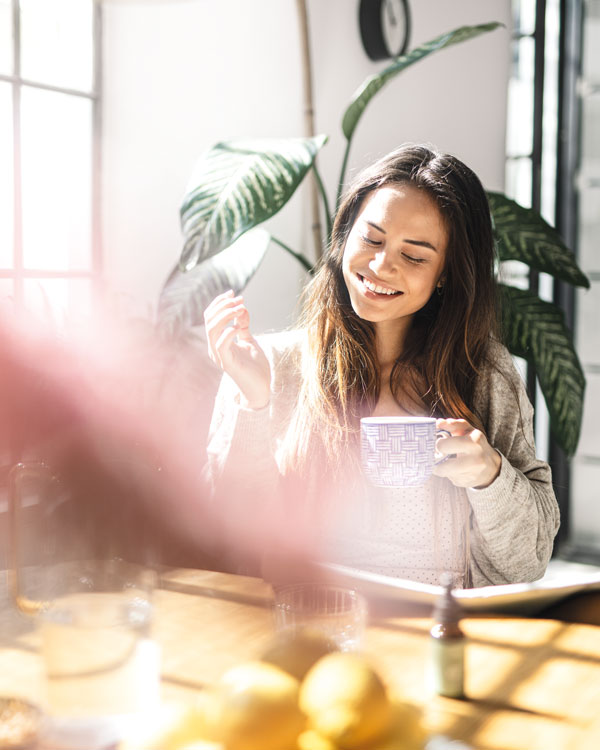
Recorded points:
236,351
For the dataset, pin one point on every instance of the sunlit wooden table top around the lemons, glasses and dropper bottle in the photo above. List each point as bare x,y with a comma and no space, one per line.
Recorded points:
530,683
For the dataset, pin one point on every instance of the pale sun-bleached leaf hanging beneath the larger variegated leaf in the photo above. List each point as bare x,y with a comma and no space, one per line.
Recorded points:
186,294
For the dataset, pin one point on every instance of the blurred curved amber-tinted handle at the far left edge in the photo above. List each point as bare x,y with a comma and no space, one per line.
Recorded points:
19,473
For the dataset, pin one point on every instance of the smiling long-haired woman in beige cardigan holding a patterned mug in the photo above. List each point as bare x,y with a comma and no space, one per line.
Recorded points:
400,319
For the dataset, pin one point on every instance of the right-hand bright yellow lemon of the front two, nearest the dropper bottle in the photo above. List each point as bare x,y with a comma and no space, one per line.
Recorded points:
345,700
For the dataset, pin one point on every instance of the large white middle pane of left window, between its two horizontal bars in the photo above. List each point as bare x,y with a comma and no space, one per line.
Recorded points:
57,162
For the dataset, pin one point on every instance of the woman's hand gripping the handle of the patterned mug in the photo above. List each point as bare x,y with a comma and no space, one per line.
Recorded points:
475,463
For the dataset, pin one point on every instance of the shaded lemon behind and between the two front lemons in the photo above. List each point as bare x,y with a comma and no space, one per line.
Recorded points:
296,653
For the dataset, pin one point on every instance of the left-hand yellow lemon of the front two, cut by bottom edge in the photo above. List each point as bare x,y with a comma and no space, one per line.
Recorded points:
259,708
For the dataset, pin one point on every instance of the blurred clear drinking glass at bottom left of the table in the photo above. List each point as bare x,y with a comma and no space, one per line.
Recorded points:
101,665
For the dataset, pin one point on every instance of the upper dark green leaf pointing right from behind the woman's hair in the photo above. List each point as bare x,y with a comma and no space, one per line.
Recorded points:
522,234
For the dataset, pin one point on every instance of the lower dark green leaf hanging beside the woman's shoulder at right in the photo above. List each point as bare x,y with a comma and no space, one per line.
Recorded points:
536,331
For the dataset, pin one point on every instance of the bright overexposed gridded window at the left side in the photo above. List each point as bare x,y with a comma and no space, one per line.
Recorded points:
49,155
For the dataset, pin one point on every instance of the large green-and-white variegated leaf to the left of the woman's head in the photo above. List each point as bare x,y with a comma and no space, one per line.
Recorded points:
237,185
